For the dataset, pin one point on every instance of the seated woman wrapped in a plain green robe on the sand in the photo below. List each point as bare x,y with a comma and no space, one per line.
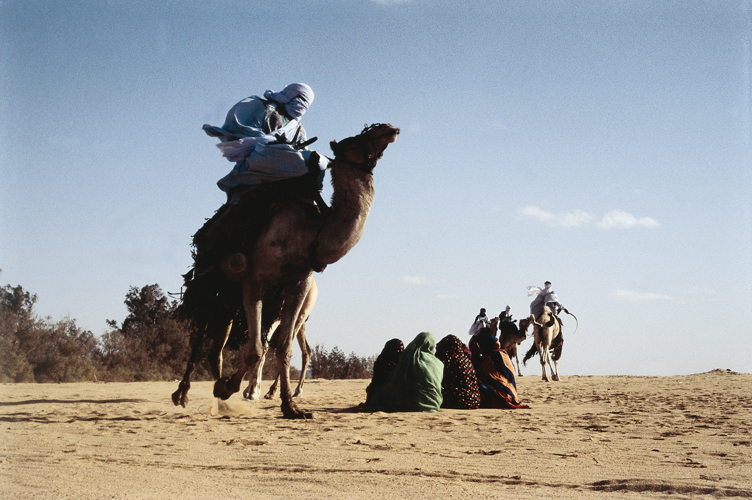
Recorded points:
415,383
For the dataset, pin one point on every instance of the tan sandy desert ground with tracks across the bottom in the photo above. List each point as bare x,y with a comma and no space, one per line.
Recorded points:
585,437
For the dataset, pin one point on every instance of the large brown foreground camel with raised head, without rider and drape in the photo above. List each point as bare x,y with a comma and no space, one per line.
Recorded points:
294,244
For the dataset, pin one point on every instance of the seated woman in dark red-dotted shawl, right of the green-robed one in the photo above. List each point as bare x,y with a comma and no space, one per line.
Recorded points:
459,387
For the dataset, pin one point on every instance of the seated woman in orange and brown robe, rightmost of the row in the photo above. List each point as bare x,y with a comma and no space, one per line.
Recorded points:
498,388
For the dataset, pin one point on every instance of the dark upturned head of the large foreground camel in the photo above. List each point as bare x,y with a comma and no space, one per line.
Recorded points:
364,150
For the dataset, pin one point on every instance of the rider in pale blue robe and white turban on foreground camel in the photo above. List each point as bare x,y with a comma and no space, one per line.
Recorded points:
264,138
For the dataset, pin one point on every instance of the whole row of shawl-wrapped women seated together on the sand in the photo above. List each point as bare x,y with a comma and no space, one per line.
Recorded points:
414,378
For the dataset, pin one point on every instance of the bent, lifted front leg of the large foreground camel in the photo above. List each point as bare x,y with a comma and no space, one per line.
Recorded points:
254,348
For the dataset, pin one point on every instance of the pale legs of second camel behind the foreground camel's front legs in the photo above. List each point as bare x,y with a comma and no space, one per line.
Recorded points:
253,391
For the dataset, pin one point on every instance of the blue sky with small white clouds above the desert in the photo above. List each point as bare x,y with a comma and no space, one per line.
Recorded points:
604,146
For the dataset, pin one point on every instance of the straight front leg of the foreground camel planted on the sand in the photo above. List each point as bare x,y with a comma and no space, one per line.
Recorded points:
294,298
